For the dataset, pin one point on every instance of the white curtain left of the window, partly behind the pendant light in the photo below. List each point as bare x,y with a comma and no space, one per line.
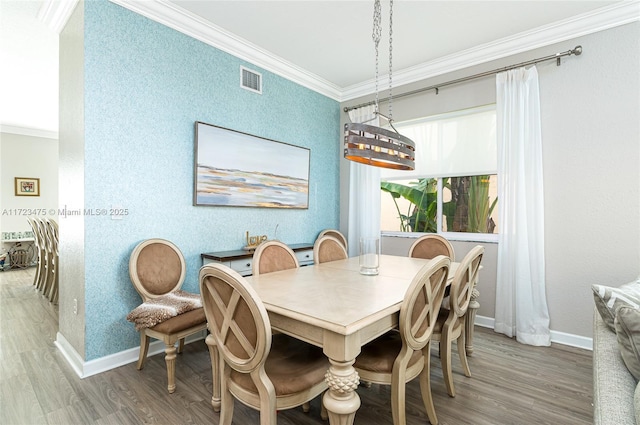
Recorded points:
364,191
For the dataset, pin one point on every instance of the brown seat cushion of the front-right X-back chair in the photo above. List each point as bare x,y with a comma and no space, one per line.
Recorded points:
380,354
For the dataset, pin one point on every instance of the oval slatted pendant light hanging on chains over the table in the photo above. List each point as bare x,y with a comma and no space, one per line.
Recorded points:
372,145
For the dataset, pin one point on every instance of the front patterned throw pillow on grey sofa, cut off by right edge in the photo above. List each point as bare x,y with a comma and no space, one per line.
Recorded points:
627,324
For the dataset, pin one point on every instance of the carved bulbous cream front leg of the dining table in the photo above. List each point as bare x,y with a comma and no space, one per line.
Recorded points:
341,400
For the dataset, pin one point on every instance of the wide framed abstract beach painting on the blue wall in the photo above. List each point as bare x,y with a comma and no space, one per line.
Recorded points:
235,169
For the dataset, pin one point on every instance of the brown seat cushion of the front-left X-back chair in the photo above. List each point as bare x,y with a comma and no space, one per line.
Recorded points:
292,366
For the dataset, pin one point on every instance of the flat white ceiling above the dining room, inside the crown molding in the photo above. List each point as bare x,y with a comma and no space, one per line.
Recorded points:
333,39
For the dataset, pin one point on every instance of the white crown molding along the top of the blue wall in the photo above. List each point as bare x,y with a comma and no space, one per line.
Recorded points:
192,25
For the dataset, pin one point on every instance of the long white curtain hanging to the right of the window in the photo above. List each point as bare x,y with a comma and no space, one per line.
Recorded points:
521,305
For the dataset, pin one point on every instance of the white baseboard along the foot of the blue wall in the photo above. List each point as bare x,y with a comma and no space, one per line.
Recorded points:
93,367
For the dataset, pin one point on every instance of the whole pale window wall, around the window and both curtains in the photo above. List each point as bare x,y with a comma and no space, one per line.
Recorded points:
590,109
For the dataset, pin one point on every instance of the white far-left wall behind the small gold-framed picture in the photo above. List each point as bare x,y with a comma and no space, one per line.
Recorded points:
27,156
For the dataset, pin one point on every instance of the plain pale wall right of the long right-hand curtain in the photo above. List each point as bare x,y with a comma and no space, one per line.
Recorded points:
591,139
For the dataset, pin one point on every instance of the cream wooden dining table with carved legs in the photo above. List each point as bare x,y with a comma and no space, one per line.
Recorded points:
333,306
